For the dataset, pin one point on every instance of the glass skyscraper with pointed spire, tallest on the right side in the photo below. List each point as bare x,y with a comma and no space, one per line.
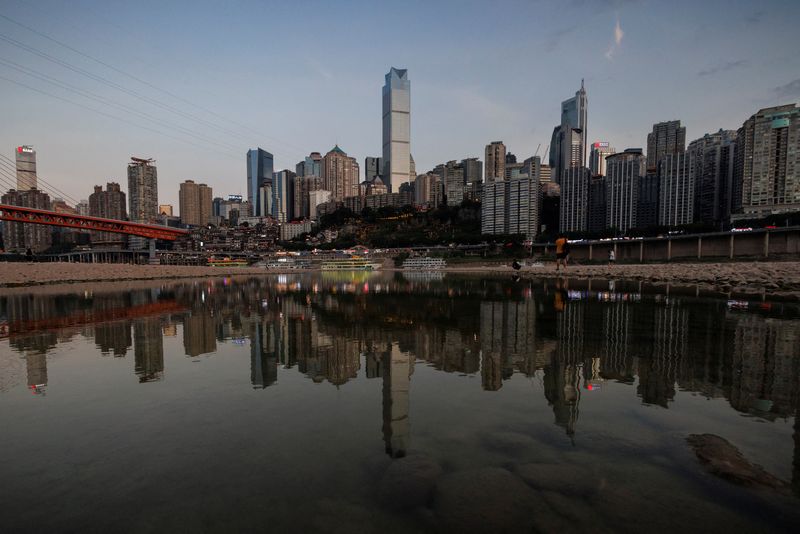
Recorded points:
568,143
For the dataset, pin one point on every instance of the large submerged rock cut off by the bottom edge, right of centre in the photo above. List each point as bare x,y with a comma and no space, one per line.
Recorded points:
486,500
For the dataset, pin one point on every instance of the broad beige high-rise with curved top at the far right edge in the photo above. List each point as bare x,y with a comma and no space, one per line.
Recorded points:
767,162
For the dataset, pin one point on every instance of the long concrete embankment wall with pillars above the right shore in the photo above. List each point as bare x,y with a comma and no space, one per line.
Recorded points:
762,243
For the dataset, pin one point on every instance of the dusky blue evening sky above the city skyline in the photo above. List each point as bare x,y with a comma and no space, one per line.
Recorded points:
194,85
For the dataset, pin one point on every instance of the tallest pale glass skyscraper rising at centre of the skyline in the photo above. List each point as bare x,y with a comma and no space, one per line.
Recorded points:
396,129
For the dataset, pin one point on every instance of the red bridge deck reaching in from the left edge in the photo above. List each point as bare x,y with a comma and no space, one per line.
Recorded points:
85,222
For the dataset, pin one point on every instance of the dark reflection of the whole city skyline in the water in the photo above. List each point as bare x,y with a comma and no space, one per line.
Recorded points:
571,335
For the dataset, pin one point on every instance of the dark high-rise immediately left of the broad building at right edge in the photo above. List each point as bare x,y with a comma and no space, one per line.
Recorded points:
713,176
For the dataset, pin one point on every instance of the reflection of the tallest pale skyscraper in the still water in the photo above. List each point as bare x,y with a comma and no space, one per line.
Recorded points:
398,367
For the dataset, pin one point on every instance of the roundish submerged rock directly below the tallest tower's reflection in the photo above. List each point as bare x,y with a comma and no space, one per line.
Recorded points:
409,482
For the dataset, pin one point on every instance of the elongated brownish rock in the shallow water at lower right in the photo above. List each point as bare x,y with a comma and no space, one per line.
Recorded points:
724,460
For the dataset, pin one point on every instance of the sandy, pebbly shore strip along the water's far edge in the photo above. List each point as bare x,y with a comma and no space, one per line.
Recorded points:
776,278
